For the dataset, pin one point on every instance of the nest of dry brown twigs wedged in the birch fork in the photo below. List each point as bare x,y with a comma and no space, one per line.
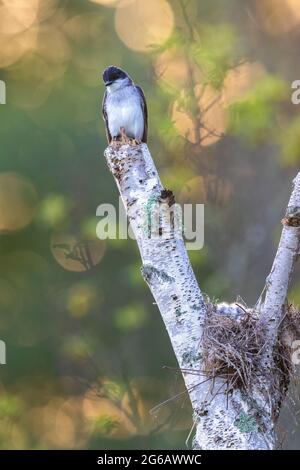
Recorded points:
232,347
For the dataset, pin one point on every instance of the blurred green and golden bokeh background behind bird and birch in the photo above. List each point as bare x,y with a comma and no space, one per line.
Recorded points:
89,364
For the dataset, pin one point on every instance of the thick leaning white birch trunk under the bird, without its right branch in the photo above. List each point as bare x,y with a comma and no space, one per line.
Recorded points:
222,420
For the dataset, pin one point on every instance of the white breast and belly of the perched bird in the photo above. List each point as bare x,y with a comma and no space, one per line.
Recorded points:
124,110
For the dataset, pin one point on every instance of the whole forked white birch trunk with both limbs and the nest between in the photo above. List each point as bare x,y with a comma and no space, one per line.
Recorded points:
228,414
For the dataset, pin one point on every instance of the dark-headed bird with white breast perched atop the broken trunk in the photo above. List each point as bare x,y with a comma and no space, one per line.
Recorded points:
124,108
